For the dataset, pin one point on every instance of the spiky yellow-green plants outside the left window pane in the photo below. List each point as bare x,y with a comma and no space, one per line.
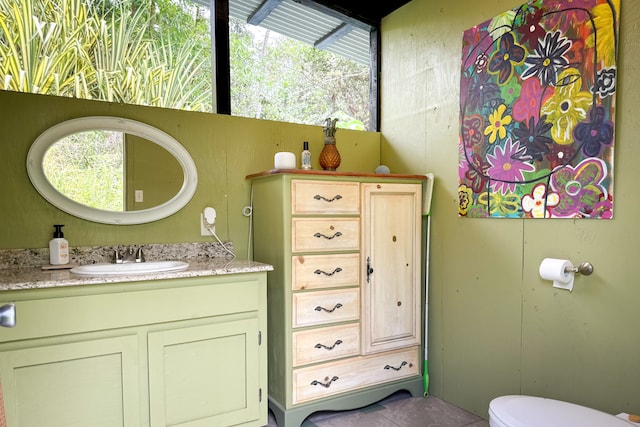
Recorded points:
96,50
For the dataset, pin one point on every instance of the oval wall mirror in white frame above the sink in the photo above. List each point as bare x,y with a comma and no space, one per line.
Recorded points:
112,170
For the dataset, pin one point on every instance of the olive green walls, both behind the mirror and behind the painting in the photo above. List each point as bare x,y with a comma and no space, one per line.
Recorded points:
495,327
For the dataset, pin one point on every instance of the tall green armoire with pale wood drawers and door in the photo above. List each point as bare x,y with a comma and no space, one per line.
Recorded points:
345,295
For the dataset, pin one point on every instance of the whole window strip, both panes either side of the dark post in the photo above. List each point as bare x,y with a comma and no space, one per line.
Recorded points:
301,63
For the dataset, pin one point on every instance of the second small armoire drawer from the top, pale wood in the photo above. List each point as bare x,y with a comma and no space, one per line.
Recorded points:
325,234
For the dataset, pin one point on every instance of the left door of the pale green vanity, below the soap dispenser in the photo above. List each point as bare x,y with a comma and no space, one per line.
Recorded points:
78,384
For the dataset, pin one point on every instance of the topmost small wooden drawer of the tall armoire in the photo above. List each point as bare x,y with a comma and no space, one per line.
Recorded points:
324,197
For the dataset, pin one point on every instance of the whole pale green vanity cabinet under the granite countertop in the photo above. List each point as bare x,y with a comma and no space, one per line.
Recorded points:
174,352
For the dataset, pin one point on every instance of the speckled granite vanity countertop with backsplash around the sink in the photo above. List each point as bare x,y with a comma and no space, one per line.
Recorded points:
22,269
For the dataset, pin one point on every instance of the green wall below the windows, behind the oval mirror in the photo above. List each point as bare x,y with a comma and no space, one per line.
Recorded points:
225,150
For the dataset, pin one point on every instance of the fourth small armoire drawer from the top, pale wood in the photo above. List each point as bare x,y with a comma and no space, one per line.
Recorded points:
324,307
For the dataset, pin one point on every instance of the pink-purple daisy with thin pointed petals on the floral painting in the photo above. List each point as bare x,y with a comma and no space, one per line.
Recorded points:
506,169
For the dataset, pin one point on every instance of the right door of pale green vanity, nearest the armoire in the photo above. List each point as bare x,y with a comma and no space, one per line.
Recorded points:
205,375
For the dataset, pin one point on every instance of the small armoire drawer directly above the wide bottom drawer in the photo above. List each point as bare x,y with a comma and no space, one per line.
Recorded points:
322,344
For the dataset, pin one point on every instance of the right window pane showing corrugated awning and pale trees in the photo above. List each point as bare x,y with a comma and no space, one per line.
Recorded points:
307,63
